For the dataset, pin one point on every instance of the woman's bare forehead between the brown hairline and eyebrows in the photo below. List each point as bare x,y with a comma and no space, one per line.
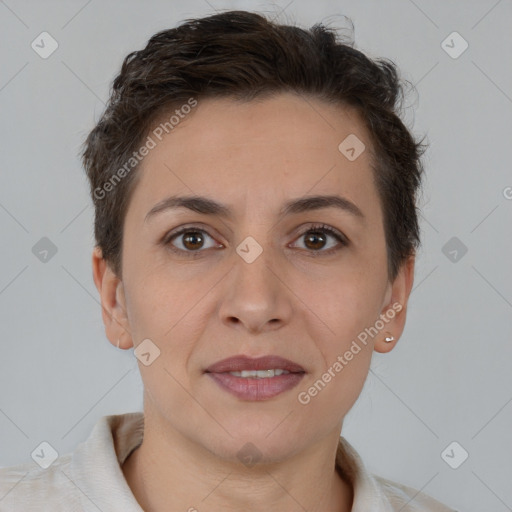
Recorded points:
257,153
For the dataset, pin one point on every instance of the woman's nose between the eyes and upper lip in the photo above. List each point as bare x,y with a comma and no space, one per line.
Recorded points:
255,295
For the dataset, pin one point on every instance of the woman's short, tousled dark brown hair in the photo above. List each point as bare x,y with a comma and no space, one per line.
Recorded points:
244,55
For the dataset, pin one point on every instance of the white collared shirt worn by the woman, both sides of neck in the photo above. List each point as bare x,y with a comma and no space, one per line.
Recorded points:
90,479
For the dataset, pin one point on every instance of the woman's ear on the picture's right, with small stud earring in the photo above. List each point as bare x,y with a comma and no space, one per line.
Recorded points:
397,297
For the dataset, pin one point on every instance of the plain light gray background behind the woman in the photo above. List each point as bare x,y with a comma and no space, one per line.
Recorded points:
448,379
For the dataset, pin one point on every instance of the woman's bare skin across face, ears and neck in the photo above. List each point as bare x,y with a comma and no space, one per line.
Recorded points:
252,157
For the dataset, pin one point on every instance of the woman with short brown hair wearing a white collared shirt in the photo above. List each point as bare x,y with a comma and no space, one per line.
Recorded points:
256,228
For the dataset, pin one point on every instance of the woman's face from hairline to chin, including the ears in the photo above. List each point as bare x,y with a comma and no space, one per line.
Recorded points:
258,280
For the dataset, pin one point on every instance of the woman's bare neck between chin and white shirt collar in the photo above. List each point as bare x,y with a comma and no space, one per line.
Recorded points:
162,479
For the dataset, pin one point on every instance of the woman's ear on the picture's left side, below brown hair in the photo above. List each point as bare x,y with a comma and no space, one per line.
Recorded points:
113,302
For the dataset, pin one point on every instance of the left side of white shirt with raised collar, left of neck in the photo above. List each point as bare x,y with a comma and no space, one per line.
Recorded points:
89,478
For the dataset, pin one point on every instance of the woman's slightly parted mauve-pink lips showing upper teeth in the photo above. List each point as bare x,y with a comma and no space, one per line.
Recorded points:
256,379
